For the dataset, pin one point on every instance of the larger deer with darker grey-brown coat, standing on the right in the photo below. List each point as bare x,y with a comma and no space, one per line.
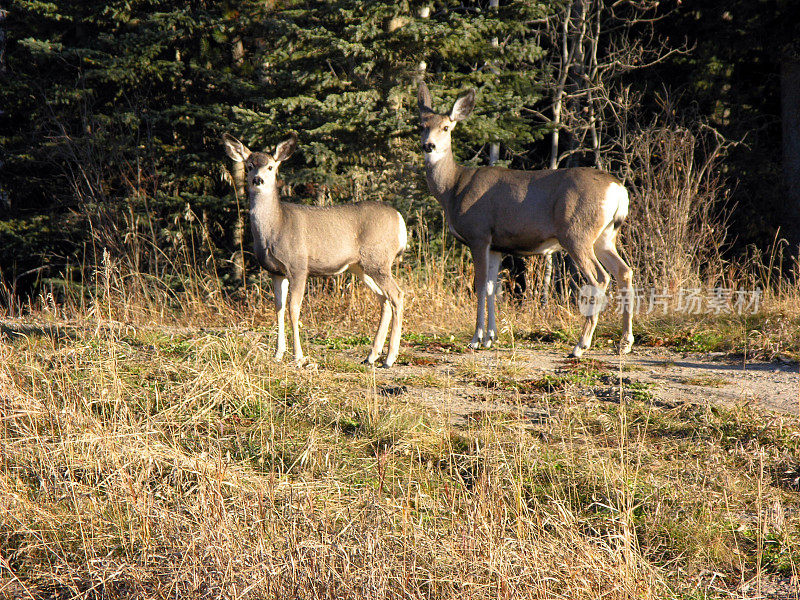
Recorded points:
494,210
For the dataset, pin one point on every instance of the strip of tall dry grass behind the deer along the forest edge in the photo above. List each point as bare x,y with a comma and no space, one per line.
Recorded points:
138,284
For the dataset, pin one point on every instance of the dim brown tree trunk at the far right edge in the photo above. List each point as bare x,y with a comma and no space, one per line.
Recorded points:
790,101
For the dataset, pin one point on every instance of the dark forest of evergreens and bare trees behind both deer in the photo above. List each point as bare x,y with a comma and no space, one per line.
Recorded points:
112,114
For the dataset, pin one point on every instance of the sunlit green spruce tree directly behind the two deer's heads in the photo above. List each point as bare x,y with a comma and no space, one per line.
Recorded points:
343,75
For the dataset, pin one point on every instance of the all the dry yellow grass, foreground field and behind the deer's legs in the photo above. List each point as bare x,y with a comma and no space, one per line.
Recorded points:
152,449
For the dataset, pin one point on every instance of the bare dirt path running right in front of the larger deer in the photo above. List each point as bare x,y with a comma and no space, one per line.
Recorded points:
462,385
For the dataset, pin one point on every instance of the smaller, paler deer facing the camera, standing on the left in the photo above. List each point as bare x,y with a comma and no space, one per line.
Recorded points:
294,242
